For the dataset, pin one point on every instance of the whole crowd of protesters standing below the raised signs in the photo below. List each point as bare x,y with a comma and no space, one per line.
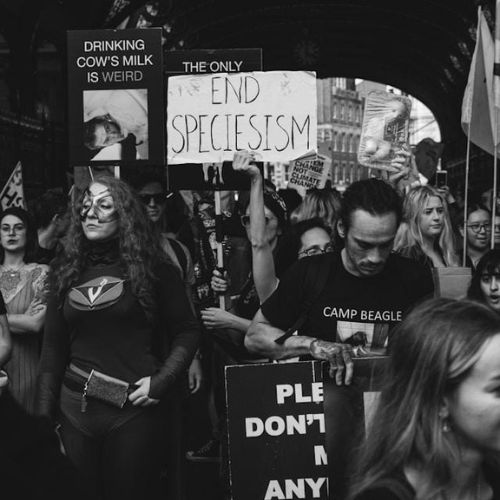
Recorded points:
110,317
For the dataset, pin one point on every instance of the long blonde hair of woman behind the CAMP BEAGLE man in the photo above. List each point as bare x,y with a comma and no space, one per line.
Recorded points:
409,240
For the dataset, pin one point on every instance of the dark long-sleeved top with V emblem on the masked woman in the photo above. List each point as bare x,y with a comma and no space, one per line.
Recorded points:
102,326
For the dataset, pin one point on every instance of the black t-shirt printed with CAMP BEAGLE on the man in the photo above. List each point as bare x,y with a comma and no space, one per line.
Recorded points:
350,309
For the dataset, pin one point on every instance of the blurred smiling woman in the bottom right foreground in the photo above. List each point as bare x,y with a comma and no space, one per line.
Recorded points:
436,430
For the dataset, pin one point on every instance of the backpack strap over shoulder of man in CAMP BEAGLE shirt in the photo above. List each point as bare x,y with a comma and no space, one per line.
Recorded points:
315,280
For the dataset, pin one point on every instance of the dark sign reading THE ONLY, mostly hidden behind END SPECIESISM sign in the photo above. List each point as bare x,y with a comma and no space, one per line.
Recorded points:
183,62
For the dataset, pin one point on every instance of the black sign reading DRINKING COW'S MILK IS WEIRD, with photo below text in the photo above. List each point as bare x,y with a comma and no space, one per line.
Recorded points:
115,97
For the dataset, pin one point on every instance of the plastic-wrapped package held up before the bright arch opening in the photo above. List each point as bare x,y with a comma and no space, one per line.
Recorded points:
386,122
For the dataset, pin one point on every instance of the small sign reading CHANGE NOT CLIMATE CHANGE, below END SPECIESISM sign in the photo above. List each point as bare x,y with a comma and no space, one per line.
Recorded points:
309,171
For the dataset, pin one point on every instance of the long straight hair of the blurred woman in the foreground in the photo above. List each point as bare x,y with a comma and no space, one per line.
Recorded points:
432,352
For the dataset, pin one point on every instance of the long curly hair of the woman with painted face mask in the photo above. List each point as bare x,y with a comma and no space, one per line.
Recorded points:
139,248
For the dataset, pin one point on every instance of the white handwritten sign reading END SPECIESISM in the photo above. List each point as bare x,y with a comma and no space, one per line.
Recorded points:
272,113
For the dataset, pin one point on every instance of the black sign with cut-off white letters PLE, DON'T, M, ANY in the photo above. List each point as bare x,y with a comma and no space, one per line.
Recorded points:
276,431
